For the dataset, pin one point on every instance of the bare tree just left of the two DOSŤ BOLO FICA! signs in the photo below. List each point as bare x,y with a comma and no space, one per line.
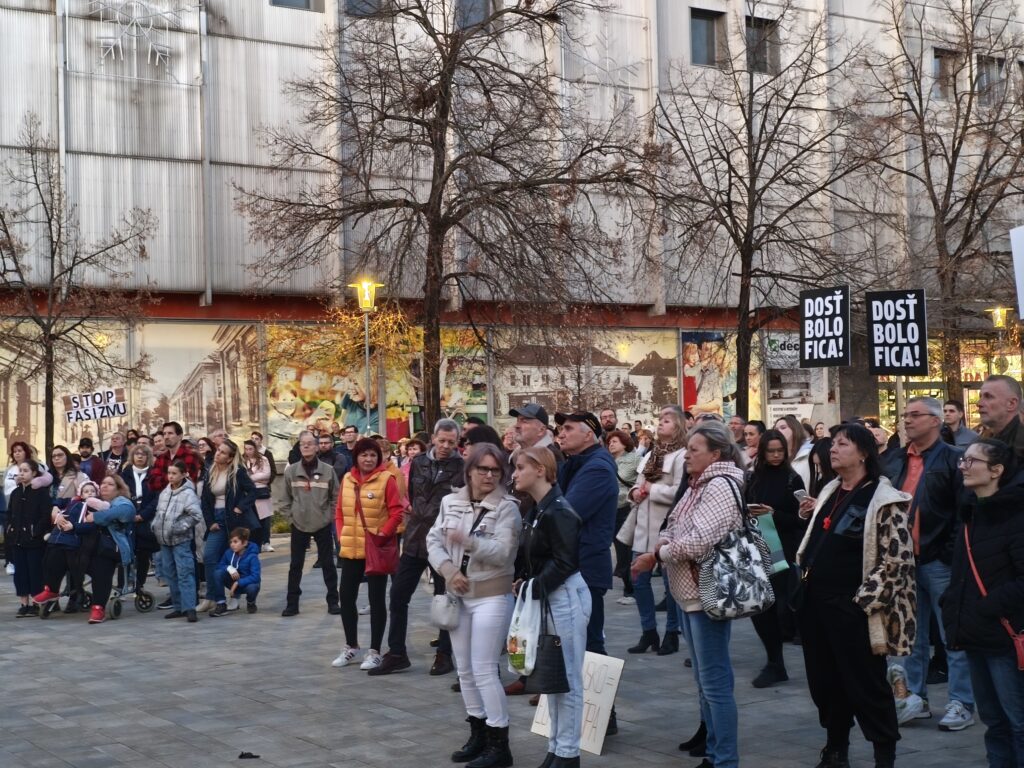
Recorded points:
761,141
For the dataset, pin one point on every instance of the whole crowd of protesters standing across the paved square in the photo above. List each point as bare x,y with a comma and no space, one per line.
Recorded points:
889,544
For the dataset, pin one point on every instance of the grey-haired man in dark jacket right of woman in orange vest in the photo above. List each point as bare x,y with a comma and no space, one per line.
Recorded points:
433,477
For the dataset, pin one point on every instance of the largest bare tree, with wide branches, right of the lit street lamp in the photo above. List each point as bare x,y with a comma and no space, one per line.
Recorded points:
445,152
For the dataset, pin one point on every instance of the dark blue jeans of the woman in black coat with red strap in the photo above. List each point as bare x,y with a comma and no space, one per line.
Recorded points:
1000,689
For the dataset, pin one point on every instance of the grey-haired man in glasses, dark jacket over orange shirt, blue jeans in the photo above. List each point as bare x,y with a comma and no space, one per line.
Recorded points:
927,470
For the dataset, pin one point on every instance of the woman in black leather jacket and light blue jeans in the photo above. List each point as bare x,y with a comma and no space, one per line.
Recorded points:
550,556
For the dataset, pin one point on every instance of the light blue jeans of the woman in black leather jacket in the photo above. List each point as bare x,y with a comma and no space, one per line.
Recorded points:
571,609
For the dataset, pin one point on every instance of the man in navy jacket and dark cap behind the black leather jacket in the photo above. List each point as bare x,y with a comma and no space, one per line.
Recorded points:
589,481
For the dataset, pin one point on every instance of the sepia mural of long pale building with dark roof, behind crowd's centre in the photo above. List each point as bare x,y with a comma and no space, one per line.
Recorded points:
634,372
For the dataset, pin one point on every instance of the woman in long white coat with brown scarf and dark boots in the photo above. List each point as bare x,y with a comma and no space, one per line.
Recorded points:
660,475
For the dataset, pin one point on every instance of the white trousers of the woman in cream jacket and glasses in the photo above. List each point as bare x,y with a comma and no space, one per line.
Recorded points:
477,644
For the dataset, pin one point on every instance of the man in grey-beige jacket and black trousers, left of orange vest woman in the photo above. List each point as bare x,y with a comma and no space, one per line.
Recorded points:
309,504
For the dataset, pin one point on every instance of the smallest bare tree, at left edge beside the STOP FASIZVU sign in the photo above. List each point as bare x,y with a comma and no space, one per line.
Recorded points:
55,312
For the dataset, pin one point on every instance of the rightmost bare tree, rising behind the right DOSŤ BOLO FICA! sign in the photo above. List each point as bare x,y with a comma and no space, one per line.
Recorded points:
946,74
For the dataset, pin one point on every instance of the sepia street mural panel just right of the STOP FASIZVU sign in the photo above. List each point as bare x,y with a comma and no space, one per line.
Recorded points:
204,376
